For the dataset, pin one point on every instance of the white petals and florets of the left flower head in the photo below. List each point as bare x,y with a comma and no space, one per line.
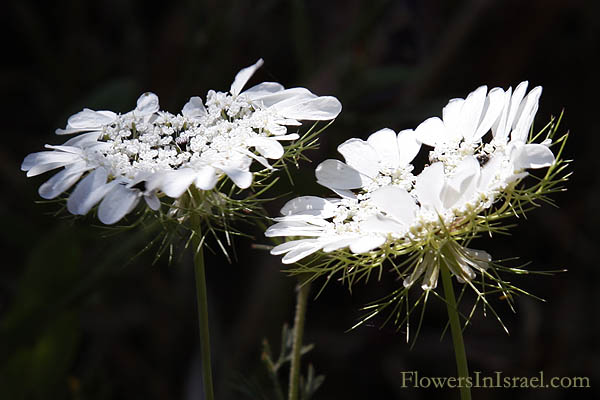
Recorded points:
117,159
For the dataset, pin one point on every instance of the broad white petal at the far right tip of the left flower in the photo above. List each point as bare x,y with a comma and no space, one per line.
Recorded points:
316,109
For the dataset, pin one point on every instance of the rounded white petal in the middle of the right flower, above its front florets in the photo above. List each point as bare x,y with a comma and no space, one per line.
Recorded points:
396,202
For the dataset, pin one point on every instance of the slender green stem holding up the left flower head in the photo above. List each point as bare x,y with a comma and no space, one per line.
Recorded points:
203,316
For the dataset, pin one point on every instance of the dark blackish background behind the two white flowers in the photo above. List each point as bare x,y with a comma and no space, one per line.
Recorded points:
80,320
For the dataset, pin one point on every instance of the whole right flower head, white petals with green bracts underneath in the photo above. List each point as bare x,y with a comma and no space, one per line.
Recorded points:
479,154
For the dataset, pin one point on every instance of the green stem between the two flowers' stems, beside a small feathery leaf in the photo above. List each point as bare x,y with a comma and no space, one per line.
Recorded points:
298,332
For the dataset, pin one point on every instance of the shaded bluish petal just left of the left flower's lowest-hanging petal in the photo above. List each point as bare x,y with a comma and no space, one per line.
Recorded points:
88,192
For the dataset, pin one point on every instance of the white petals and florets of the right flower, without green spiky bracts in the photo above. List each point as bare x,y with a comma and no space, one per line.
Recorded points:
382,202
